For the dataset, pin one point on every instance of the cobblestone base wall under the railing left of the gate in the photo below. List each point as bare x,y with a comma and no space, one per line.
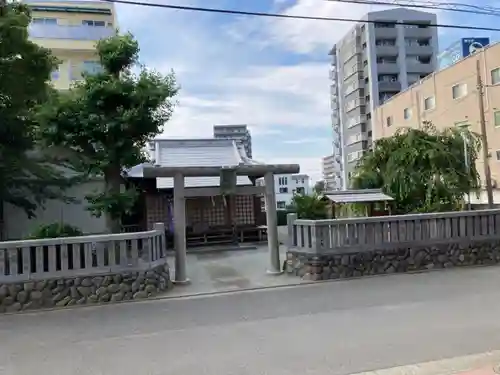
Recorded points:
83,290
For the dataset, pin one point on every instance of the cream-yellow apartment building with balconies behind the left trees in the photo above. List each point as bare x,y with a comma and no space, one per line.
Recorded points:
71,30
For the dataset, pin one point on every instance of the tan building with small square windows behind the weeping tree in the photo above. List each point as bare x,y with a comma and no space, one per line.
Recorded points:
449,98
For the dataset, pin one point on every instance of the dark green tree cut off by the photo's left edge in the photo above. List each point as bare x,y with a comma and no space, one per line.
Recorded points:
28,175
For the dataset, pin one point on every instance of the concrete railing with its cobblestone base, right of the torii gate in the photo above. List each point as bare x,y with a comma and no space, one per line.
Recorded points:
320,249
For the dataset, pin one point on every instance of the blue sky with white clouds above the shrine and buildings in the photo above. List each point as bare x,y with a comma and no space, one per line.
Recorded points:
268,73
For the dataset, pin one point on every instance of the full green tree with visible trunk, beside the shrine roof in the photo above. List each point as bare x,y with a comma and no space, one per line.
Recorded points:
107,119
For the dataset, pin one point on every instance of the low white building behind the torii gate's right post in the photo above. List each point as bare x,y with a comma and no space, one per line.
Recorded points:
286,185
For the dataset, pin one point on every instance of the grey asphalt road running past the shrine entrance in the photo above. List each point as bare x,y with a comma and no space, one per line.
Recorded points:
331,328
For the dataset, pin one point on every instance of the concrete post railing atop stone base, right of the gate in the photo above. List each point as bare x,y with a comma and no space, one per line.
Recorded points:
378,233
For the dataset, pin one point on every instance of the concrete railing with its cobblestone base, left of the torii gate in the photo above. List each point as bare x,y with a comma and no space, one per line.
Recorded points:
81,270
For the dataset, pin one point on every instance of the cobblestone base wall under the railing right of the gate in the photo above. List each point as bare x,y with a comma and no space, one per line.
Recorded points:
334,266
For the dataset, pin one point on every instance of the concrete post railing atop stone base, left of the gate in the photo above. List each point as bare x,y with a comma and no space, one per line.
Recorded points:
82,256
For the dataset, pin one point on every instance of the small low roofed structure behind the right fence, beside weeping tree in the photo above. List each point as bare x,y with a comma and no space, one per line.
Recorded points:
369,197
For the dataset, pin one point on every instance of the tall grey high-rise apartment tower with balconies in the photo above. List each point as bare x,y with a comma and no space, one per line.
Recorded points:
371,64
